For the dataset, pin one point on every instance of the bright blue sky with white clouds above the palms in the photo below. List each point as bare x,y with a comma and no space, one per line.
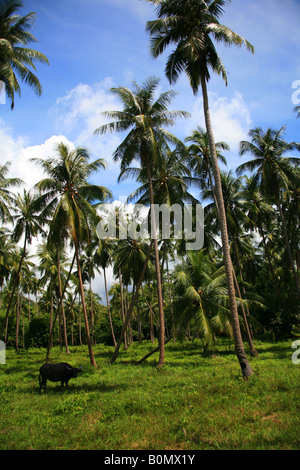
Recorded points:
93,45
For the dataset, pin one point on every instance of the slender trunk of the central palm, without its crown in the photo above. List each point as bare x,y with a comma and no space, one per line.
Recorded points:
161,360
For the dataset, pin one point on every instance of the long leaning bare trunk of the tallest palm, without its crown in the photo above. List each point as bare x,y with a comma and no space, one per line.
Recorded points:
239,347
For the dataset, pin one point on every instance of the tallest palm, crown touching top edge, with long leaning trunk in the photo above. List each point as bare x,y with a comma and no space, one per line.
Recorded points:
193,26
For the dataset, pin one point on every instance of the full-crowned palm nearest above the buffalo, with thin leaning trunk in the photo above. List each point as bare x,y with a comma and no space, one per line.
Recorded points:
70,201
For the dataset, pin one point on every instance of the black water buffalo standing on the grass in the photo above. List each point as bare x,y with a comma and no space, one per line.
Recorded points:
61,372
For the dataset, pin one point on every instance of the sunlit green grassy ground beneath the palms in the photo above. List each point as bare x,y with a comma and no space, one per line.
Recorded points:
197,401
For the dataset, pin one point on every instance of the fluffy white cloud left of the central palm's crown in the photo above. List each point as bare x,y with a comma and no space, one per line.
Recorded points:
75,116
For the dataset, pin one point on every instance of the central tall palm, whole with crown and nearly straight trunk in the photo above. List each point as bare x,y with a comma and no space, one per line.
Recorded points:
145,119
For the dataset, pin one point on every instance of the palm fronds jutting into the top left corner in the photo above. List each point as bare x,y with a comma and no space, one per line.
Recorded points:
16,59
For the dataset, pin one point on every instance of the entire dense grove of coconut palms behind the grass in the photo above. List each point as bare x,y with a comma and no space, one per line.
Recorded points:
244,282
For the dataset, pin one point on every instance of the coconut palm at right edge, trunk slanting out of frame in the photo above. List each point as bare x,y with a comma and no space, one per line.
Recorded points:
274,172
